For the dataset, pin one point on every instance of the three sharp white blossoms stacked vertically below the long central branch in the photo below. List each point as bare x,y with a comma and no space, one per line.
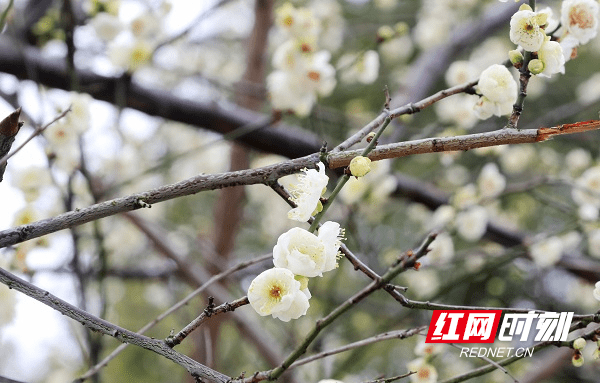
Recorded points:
298,255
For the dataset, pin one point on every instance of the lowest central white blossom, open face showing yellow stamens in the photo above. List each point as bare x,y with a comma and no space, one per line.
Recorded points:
276,292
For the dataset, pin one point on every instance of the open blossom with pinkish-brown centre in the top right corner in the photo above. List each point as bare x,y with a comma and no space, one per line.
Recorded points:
580,18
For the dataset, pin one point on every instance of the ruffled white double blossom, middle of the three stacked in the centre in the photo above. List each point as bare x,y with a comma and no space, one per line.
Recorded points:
306,254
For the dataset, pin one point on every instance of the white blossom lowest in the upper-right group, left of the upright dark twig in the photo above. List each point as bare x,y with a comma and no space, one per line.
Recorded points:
499,91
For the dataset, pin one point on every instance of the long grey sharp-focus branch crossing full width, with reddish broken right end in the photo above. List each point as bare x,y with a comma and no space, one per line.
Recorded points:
271,173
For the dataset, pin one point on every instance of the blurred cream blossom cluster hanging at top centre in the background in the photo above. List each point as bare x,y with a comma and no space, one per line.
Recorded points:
302,73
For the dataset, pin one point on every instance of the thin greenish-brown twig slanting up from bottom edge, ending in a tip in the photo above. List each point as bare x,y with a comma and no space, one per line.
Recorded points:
405,261
